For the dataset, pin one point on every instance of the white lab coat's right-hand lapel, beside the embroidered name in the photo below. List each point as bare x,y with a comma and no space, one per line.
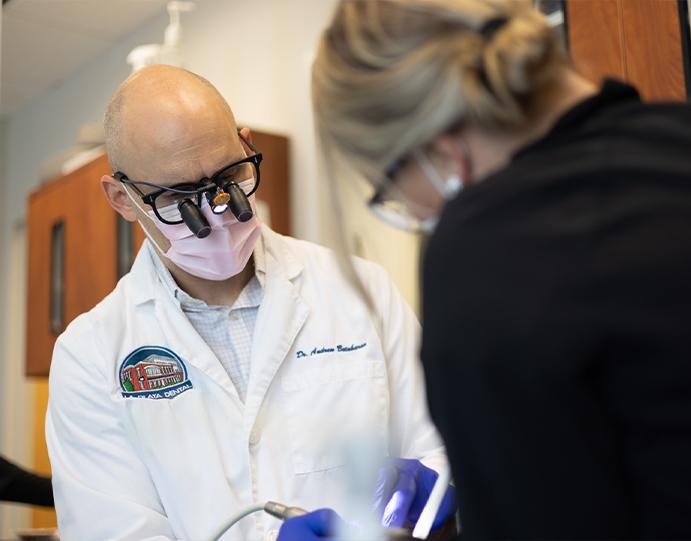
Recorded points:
281,316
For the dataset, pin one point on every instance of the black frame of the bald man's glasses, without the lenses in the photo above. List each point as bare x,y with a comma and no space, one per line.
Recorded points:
198,193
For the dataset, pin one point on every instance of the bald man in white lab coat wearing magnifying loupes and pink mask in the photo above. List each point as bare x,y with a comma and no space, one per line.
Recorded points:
231,364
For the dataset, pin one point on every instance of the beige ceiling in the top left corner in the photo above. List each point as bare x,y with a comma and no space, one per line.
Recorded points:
44,41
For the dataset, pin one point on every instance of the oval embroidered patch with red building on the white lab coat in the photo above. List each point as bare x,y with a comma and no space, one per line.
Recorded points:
153,372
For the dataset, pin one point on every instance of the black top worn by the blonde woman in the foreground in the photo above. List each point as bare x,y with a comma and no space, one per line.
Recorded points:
557,330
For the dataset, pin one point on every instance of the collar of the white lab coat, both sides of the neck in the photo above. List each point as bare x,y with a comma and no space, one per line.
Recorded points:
144,274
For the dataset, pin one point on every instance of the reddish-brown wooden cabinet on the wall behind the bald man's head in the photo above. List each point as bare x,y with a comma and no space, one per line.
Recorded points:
73,248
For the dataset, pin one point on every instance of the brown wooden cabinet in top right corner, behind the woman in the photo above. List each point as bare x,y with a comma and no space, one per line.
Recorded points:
639,41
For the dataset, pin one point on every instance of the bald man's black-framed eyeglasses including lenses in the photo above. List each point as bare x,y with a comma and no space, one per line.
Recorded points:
220,191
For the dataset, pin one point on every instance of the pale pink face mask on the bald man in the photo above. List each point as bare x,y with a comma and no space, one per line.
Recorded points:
222,254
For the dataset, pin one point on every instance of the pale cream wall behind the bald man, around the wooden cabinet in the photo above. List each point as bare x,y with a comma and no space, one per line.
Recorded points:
258,54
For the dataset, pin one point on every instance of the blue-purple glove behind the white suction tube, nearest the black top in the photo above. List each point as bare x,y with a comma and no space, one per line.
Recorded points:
401,493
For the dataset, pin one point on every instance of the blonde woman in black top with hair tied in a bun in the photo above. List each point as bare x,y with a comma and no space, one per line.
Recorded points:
557,297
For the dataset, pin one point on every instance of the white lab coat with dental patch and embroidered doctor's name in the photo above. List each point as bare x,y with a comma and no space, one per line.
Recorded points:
139,468
